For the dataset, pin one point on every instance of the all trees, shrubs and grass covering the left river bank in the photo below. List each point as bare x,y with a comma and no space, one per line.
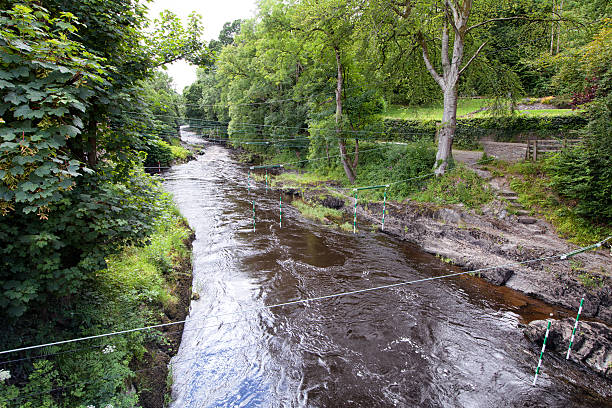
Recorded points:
88,242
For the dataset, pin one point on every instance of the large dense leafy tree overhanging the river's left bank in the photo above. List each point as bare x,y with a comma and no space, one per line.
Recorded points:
70,141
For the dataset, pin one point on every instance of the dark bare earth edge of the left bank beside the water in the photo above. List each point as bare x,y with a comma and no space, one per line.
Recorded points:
151,379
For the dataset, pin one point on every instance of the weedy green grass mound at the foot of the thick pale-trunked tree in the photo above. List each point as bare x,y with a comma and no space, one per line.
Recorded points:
458,186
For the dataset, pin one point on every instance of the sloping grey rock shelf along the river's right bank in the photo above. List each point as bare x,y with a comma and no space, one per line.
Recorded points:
489,237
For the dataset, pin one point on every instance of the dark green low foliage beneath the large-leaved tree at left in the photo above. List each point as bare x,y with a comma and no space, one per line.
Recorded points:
56,256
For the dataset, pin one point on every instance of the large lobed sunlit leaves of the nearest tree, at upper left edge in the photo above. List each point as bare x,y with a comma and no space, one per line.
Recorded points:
37,108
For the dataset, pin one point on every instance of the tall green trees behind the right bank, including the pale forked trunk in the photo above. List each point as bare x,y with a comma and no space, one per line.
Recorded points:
334,61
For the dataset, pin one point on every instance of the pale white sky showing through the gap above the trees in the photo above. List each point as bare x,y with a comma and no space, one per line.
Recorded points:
215,13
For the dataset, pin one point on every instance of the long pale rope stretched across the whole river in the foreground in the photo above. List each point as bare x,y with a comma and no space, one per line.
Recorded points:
562,256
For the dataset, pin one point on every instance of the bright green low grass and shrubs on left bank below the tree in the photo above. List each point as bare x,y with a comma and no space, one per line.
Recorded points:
134,291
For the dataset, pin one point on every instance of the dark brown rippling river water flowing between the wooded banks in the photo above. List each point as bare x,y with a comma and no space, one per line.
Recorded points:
445,343
